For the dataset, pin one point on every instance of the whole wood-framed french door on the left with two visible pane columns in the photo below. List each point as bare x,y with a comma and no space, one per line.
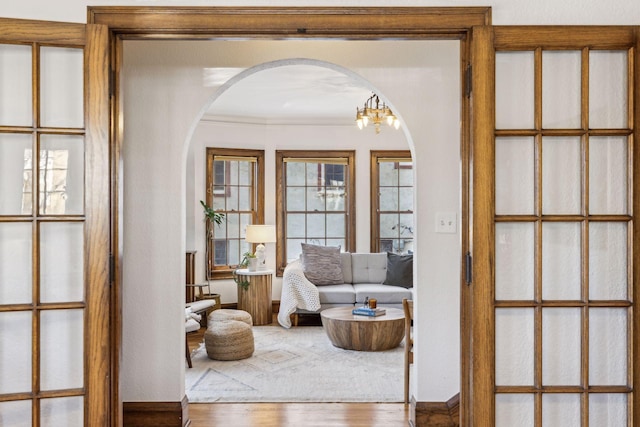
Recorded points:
54,224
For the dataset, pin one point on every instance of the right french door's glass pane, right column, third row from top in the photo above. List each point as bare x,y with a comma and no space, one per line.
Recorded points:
608,261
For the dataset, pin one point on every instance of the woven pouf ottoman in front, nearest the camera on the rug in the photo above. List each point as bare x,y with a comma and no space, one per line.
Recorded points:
229,340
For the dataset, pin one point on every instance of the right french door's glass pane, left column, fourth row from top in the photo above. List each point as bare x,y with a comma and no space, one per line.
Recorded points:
514,358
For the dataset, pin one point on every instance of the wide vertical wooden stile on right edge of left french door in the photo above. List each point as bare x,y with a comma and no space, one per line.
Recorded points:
98,338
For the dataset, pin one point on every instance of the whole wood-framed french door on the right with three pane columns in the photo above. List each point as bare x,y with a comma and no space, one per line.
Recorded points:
555,324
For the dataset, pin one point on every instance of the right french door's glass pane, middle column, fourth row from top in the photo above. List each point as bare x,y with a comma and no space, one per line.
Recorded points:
561,346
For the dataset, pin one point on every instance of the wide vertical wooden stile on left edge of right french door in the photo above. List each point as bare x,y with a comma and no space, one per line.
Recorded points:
482,403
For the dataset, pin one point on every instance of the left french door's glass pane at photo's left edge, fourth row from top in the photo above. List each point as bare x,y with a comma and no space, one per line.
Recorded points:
15,348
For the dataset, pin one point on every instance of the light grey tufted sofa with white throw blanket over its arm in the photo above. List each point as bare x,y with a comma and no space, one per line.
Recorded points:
386,277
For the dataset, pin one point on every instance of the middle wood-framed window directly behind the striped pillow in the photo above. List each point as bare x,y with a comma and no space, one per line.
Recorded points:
316,192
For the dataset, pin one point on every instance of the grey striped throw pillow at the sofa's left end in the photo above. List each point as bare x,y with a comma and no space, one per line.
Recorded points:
321,264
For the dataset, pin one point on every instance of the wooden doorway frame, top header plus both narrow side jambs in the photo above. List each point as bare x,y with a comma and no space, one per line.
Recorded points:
278,23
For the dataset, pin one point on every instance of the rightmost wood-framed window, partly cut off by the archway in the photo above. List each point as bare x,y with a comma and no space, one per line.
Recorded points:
391,202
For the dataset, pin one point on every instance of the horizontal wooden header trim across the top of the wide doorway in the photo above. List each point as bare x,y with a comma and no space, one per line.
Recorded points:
300,22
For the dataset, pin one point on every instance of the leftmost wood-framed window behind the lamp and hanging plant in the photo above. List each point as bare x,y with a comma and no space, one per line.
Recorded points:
235,187
